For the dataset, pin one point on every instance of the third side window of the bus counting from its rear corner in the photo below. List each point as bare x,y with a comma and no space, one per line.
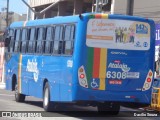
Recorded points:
49,40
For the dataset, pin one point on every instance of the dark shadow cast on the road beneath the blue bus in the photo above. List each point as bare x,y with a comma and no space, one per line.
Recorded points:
71,110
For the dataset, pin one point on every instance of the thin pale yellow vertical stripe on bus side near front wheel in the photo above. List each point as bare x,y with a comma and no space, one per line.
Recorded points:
19,74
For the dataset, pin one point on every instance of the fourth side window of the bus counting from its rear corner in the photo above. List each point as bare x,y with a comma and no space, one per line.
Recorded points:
40,40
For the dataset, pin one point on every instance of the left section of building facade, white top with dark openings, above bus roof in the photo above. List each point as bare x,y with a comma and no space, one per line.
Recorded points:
61,7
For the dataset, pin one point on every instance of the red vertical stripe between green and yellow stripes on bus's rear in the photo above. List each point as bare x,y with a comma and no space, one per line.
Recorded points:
96,63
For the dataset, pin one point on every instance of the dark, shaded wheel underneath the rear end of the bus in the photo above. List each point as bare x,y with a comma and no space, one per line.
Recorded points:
110,108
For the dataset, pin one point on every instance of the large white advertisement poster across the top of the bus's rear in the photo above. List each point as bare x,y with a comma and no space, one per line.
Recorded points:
118,34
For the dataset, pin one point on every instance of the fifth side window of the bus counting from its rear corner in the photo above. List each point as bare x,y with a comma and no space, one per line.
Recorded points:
32,41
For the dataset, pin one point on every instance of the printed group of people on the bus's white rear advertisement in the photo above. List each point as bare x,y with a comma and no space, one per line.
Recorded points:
124,35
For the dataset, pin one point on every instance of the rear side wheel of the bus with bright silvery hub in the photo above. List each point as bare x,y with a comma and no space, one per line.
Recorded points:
47,104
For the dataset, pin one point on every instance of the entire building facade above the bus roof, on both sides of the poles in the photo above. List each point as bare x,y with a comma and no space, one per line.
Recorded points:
143,8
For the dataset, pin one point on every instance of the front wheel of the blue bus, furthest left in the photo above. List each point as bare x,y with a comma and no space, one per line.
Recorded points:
18,97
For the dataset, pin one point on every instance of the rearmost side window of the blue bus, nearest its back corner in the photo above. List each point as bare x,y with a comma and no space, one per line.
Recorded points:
69,39
